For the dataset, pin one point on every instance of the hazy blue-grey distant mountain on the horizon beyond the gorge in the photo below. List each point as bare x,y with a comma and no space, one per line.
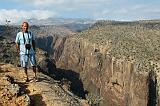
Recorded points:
73,24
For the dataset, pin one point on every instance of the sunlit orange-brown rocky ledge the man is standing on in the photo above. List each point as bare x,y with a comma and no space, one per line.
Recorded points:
14,91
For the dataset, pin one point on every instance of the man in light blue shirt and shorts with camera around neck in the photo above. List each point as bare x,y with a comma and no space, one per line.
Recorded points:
25,44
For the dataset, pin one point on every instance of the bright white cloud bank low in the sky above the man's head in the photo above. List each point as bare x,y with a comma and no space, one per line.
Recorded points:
18,15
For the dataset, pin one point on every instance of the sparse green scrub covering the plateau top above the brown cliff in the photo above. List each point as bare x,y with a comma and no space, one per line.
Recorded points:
135,41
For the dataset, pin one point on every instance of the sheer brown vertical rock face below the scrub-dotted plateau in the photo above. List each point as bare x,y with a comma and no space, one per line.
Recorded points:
109,80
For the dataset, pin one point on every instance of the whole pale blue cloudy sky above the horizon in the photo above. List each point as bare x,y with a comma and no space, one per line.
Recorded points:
120,10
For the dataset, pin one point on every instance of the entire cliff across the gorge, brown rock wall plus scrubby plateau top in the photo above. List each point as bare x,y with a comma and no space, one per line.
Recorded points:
118,64
